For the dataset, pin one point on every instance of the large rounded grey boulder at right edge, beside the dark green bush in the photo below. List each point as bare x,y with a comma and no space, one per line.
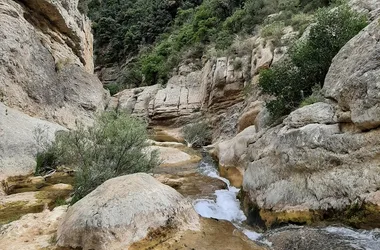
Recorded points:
353,80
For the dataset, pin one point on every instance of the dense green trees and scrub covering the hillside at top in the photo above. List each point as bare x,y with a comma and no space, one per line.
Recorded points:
150,37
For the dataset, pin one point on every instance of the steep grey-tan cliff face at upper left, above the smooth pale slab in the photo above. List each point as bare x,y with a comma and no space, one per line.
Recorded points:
46,61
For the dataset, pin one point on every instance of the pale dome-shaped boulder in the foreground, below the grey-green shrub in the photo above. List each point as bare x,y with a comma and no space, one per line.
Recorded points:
125,210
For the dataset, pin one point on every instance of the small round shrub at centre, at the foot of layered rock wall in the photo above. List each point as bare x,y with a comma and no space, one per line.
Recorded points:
197,134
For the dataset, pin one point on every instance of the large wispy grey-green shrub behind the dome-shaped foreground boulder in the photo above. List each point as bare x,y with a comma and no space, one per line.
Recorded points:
115,145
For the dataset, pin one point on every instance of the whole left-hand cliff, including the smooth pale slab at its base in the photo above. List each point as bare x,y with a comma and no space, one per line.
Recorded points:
46,72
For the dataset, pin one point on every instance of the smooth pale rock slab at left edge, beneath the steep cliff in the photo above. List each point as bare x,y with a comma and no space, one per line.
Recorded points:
22,137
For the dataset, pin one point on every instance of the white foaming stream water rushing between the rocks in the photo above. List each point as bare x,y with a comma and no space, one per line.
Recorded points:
227,207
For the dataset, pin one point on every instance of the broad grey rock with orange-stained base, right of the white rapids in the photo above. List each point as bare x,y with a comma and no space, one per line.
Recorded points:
302,174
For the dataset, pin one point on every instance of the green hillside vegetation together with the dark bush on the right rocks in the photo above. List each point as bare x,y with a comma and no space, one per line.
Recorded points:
150,38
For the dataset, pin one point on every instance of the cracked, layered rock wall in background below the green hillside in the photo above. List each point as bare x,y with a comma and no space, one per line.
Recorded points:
217,86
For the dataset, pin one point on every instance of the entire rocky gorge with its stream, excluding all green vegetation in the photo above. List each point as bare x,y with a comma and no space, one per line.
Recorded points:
309,181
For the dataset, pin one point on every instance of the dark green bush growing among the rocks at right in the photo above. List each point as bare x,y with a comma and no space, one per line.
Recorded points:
293,79
